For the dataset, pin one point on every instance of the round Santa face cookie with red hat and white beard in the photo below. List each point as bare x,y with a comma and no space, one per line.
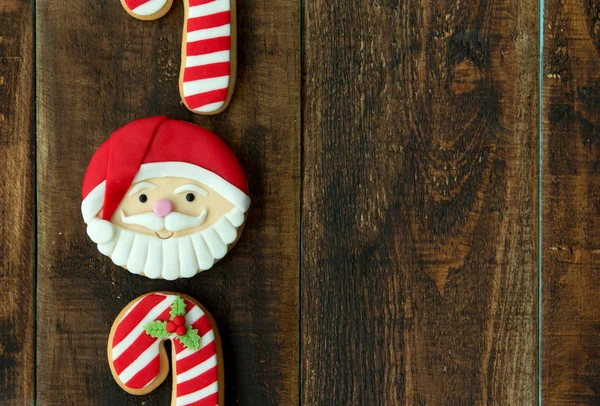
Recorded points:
164,198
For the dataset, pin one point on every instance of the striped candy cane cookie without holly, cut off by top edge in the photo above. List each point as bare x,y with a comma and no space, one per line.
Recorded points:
208,49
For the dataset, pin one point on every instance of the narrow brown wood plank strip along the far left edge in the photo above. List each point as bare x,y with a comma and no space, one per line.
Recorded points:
17,221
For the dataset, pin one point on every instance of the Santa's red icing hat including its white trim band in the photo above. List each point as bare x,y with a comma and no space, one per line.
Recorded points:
158,147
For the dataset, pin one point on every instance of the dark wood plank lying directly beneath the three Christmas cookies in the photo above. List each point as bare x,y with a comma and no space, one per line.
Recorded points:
97,69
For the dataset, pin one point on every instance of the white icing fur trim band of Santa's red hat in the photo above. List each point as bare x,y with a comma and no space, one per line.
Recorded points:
91,205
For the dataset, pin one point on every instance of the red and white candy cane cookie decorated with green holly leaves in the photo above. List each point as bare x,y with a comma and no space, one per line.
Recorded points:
138,359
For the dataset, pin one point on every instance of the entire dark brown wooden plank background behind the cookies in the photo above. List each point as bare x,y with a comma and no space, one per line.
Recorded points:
398,227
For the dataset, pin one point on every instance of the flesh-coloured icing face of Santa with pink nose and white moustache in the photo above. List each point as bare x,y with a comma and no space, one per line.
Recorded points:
170,207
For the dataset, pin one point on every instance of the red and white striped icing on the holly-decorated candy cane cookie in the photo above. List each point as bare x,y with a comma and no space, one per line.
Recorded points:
135,355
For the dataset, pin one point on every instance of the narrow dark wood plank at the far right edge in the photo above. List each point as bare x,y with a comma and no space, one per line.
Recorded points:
571,213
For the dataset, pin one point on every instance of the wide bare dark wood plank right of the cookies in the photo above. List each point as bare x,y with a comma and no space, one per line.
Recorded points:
419,192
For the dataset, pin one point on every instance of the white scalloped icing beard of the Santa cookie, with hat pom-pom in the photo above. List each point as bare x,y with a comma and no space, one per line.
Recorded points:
171,258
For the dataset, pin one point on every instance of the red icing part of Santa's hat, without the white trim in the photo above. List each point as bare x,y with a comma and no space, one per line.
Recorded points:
157,139
